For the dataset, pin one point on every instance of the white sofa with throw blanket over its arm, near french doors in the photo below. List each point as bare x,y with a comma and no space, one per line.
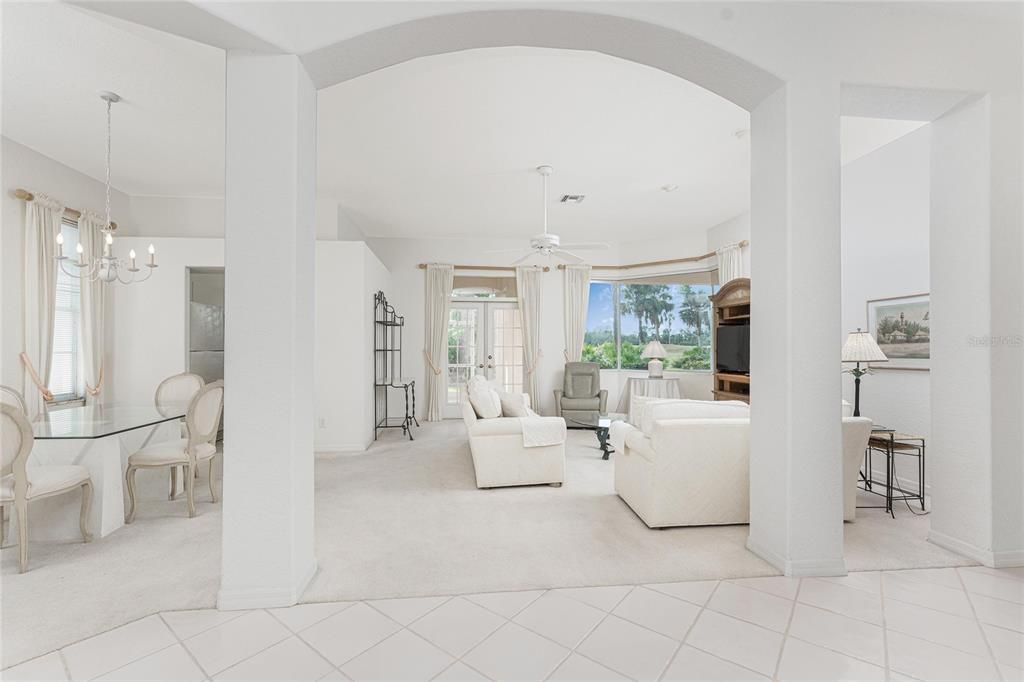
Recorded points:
500,458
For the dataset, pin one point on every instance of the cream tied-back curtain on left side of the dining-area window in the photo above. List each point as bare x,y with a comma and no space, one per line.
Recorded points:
42,225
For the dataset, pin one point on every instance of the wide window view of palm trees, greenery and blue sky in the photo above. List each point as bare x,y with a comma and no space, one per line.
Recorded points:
678,316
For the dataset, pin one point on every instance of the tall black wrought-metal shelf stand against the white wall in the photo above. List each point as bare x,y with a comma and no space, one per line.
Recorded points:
388,370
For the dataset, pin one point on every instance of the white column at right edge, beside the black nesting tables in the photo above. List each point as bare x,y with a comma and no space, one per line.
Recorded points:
976,452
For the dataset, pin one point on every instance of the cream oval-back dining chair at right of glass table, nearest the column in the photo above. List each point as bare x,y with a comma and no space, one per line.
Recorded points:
202,423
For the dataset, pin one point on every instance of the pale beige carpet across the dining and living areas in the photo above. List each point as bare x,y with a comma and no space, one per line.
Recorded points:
406,520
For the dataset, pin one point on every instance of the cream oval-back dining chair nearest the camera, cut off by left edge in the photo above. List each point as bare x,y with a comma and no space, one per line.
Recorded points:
22,485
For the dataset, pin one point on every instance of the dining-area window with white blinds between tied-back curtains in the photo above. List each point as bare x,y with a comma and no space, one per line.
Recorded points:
66,367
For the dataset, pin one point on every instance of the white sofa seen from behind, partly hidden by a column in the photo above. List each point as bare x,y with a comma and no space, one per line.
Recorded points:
688,462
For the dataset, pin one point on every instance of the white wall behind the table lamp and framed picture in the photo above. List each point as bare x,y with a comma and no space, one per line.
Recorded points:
885,234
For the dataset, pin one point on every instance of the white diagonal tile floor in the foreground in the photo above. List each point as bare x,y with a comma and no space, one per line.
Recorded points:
945,624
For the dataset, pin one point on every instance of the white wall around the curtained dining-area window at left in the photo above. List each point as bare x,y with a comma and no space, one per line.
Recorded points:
26,169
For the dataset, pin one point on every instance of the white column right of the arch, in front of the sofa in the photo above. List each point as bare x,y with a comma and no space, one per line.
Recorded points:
796,453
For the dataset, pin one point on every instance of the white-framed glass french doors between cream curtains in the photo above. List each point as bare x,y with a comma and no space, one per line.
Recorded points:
484,338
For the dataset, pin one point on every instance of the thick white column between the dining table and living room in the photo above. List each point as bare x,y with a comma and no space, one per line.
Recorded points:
270,253
